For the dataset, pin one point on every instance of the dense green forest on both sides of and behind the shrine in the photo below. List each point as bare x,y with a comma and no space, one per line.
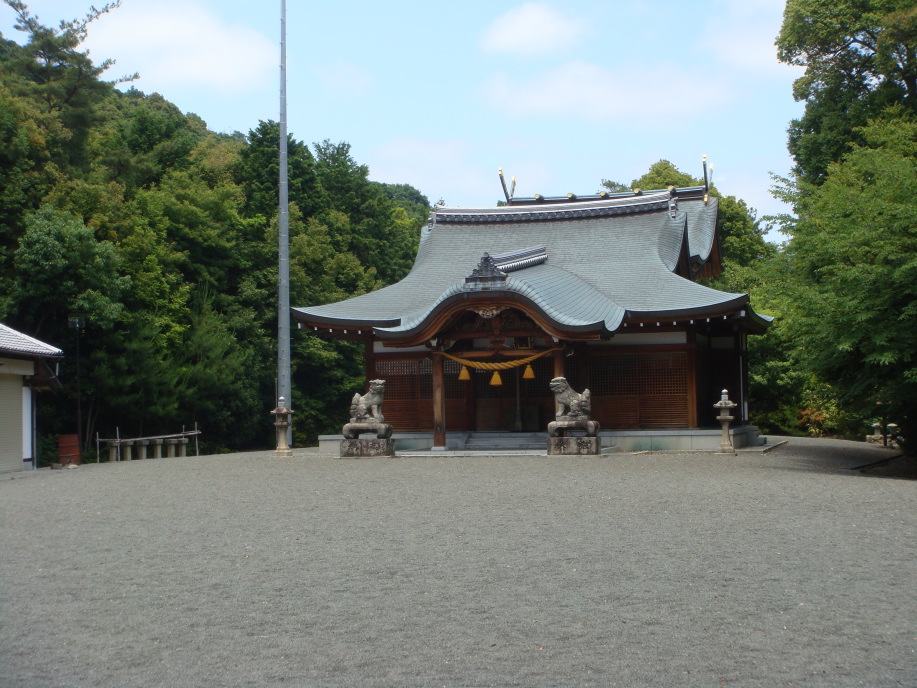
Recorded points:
161,234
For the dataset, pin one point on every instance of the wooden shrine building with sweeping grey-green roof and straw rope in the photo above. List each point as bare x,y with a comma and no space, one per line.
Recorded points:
601,290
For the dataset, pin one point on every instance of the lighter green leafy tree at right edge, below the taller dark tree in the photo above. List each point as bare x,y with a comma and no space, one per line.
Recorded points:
853,252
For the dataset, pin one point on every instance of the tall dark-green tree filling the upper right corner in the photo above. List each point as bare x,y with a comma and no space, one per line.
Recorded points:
860,57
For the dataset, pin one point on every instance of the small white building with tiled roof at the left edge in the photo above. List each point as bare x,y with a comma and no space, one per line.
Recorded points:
26,366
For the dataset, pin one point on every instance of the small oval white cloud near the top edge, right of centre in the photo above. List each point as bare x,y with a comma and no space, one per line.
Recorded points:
530,29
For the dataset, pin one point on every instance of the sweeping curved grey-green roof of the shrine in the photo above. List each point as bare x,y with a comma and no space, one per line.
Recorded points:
605,262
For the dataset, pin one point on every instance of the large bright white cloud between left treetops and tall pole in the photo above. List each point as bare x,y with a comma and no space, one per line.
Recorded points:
176,45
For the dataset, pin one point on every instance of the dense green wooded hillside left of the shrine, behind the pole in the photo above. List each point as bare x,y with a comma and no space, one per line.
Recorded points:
162,235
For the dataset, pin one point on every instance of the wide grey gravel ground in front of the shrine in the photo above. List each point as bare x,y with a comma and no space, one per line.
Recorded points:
765,569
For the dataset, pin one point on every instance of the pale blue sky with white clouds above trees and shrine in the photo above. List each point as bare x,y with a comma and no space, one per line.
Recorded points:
440,95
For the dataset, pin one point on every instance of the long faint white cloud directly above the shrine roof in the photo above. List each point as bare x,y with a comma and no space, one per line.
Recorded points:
650,95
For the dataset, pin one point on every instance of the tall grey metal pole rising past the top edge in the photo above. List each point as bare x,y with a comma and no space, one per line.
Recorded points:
283,272
